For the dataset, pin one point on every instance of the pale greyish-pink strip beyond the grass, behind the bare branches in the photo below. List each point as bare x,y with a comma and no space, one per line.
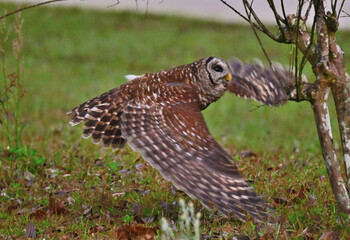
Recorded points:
202,9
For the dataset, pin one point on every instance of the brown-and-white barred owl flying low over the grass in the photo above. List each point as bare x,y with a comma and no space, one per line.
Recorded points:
159,115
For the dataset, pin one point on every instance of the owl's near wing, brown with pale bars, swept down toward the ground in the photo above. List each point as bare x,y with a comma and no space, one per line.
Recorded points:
171,134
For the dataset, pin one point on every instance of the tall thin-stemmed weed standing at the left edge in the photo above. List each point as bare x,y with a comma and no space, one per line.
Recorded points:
11,88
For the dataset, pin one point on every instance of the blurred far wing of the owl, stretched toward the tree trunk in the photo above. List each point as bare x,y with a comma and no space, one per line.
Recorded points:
254,81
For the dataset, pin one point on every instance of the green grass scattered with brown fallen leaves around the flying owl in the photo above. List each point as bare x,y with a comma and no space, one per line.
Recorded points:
73,55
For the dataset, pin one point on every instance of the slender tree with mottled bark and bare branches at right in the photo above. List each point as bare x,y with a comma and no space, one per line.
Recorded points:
320,49
